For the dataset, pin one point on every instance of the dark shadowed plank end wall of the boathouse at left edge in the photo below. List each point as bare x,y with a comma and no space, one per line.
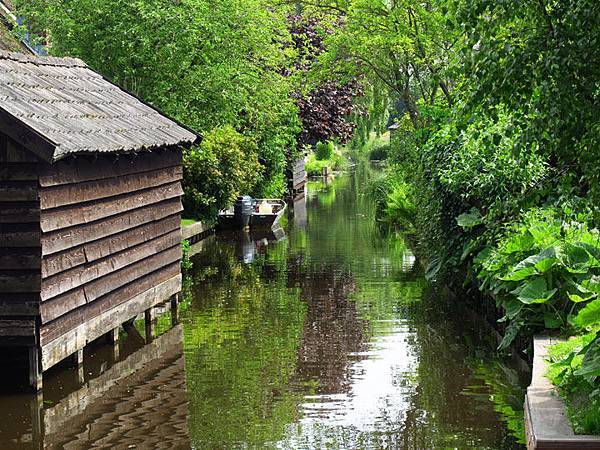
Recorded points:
20,255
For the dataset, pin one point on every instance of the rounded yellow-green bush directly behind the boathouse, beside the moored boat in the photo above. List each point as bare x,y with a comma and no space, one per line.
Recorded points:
224,166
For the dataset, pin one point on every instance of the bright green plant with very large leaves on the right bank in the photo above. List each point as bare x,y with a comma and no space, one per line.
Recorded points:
545,273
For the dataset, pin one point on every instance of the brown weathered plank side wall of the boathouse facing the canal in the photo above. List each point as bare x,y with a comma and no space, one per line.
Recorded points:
110,233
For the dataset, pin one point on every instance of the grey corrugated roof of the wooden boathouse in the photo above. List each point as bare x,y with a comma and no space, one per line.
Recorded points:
78,111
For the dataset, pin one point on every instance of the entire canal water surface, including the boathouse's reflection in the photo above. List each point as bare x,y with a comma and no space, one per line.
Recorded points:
322,335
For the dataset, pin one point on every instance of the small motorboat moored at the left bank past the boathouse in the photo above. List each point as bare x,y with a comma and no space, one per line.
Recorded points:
253,213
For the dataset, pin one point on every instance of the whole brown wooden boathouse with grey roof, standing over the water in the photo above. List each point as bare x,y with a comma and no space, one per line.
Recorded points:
90,207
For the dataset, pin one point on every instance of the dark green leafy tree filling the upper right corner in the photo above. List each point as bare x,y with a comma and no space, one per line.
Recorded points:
540,60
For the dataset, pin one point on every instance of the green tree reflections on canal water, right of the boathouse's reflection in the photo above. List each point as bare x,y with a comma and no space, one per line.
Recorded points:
331,338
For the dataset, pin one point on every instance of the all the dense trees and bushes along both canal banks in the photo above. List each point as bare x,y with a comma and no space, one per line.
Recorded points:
495,162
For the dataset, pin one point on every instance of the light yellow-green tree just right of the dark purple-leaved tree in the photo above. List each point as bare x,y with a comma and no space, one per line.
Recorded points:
407,46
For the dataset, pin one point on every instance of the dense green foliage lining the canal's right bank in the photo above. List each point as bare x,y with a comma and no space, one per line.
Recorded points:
495,158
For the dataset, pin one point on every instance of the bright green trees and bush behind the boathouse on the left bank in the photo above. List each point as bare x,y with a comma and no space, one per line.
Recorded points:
208,64
